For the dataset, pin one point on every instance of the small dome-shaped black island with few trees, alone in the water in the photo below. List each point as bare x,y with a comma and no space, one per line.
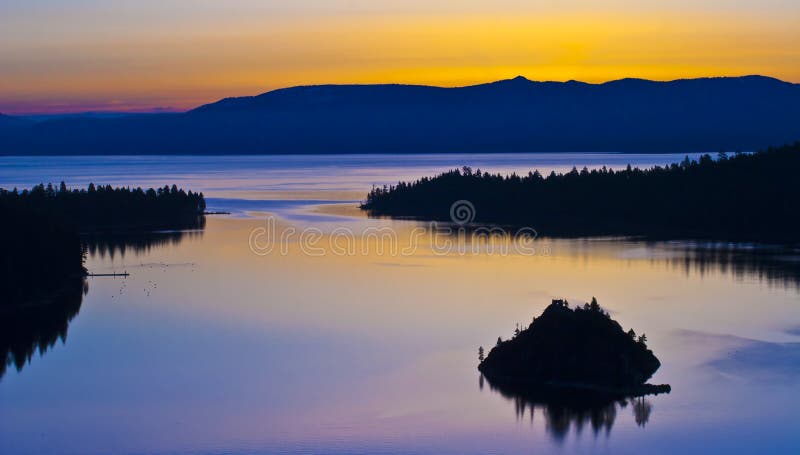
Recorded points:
580,348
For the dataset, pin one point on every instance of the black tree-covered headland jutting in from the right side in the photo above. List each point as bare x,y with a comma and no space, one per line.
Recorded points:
751,197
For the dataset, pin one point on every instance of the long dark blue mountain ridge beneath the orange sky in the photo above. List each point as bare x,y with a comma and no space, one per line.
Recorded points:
515,115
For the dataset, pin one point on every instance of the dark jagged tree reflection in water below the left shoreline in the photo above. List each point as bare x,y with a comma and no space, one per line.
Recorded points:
28,326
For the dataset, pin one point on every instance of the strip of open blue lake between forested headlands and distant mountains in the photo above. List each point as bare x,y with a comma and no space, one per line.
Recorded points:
226,175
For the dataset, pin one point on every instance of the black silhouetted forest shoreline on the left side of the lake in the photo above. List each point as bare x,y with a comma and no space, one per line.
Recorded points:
42,229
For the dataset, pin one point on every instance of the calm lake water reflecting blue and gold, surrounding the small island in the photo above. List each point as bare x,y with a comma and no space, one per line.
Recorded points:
216,345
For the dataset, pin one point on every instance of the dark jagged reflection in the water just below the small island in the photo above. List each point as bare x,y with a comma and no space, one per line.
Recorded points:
564,410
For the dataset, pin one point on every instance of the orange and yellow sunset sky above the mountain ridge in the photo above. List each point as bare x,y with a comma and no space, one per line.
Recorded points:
147,55
